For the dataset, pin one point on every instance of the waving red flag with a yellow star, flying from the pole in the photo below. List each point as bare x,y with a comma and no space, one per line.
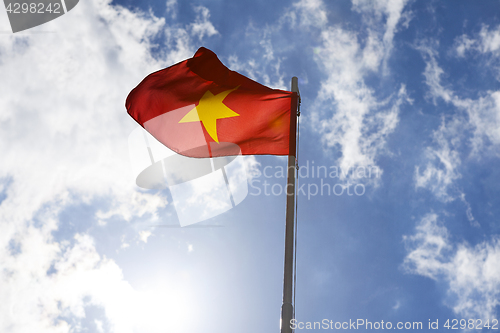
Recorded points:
200,108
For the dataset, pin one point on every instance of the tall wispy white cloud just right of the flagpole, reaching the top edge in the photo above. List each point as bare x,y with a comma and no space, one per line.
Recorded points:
352,116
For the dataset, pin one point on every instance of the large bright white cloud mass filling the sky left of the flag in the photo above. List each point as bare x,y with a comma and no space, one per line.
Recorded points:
63,140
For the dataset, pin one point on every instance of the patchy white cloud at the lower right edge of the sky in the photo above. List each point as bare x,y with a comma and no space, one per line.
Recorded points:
471,273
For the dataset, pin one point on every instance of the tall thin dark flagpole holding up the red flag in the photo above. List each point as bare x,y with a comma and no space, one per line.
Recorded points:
287,311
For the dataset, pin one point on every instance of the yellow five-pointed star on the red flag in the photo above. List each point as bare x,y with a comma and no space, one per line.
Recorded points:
209,109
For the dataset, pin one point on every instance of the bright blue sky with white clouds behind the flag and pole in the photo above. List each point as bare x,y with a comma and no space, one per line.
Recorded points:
408,88
